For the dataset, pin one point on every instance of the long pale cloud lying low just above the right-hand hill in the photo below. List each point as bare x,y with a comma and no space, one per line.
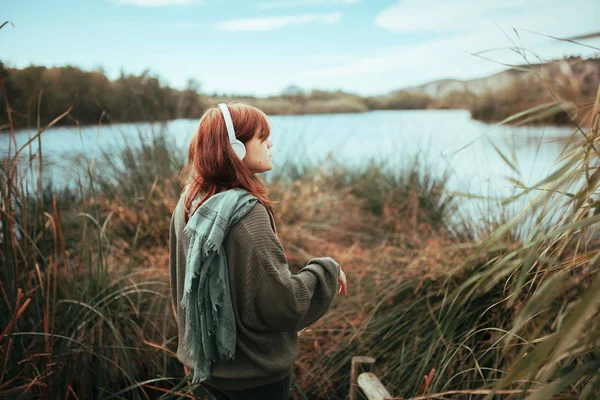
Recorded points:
408,66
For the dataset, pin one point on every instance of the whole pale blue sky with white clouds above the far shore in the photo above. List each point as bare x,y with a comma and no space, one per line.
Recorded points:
367,47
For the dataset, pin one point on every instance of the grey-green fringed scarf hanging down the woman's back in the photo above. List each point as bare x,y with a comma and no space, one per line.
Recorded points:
209,320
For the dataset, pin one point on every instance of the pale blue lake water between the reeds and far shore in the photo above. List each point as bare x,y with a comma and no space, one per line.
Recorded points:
447,139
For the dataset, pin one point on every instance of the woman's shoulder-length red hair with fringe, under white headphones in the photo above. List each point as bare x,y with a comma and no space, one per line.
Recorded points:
212,165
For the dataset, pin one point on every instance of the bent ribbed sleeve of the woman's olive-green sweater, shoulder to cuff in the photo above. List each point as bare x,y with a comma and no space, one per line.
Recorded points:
270,296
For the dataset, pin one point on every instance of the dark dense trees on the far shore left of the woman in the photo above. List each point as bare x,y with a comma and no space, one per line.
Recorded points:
49,92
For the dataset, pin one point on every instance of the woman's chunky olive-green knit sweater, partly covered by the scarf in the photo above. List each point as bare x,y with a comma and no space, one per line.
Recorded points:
269,302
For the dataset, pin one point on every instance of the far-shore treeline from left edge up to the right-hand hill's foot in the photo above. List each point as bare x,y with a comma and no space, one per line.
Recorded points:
47,92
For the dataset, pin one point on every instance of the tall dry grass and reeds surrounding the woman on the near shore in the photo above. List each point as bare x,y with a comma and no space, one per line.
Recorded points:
90,313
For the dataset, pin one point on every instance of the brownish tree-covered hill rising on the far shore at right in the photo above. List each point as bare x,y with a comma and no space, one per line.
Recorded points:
573,82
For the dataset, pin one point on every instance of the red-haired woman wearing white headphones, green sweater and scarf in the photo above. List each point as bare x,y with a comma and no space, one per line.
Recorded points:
238,306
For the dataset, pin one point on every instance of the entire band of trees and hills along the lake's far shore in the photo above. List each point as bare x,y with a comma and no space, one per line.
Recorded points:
47,92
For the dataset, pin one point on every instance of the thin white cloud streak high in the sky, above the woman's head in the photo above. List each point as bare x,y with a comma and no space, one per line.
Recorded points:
273,23
